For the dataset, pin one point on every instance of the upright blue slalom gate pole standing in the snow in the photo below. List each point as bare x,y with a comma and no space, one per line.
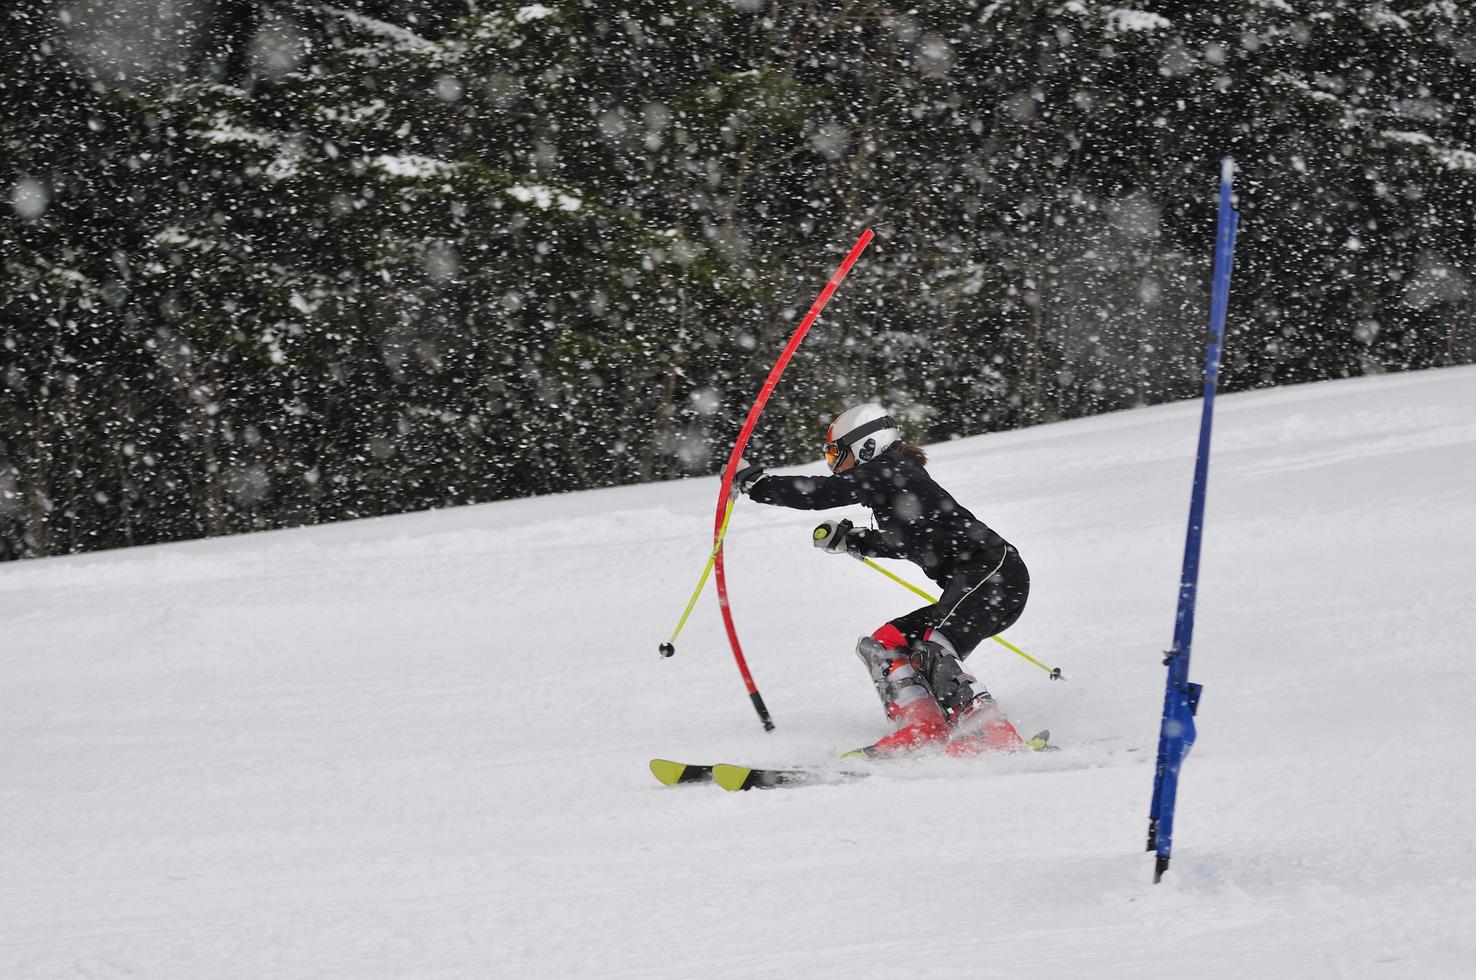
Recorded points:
1182,697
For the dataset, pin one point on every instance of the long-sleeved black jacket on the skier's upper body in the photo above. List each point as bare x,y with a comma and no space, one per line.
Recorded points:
916,519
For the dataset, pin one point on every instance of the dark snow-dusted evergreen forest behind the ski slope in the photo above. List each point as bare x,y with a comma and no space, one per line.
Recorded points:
271,265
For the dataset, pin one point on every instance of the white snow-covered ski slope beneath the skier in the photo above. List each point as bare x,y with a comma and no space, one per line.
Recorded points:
417,748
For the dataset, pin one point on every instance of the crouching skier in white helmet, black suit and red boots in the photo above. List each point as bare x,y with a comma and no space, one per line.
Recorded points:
916,660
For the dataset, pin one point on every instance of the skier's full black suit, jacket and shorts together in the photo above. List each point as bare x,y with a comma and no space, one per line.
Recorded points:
985,582
